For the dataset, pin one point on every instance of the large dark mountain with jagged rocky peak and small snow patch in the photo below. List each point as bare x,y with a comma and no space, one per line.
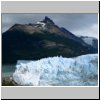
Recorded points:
42,39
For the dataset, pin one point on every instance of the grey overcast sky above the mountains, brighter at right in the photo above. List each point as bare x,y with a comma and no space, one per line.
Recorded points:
78,24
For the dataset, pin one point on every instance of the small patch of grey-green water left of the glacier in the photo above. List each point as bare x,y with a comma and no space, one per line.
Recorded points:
8,70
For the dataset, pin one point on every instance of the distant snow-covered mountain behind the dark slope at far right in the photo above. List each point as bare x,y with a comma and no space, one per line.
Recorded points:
91,41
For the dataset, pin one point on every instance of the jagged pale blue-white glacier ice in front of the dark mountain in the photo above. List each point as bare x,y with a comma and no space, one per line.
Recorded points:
58,71
